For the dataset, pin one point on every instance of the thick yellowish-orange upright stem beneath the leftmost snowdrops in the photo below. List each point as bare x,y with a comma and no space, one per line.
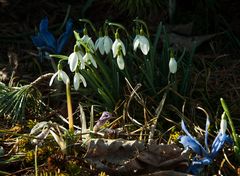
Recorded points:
69,106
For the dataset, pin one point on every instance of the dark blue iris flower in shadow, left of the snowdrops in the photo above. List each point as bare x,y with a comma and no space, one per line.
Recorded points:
45,40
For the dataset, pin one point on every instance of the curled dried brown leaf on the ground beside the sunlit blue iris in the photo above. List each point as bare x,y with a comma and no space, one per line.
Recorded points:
124,156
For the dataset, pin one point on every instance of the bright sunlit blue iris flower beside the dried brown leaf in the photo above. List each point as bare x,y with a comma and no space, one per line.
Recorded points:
204,156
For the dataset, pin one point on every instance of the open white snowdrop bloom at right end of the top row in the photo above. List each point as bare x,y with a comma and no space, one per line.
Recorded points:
140,41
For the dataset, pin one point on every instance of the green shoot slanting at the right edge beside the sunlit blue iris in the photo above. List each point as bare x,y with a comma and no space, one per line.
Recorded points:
234,134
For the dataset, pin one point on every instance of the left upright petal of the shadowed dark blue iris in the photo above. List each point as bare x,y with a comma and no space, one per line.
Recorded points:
47,37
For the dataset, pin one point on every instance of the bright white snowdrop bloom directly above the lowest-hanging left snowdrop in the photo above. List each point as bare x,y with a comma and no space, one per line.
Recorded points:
74,59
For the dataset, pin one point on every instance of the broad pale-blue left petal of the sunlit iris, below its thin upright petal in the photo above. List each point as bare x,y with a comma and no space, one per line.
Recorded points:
189,142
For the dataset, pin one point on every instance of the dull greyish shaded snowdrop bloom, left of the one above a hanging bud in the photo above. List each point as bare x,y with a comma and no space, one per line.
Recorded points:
104,44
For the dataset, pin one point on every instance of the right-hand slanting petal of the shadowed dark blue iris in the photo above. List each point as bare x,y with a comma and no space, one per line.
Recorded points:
65,36
